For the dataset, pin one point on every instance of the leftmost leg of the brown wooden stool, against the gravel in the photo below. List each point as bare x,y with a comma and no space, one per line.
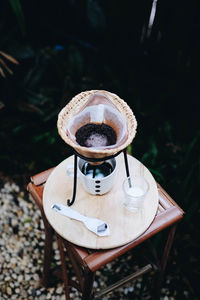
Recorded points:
47,255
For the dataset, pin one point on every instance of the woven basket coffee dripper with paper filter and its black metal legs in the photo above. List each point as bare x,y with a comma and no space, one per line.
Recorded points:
83,109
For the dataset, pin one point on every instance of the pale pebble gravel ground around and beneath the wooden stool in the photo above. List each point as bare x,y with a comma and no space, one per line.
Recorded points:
21,256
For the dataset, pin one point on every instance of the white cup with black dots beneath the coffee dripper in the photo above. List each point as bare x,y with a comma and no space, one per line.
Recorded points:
96,180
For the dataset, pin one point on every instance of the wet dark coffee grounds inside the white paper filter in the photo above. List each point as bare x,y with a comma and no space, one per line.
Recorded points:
95,135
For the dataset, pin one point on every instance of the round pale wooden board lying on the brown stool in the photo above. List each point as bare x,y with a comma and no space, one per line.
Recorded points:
125,225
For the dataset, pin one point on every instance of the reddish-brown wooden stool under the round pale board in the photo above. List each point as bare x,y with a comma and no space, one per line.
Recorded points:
86,262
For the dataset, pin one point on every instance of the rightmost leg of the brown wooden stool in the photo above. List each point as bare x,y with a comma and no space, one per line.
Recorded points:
160,275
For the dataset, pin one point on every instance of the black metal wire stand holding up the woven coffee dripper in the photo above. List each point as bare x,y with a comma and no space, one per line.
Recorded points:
89,159
